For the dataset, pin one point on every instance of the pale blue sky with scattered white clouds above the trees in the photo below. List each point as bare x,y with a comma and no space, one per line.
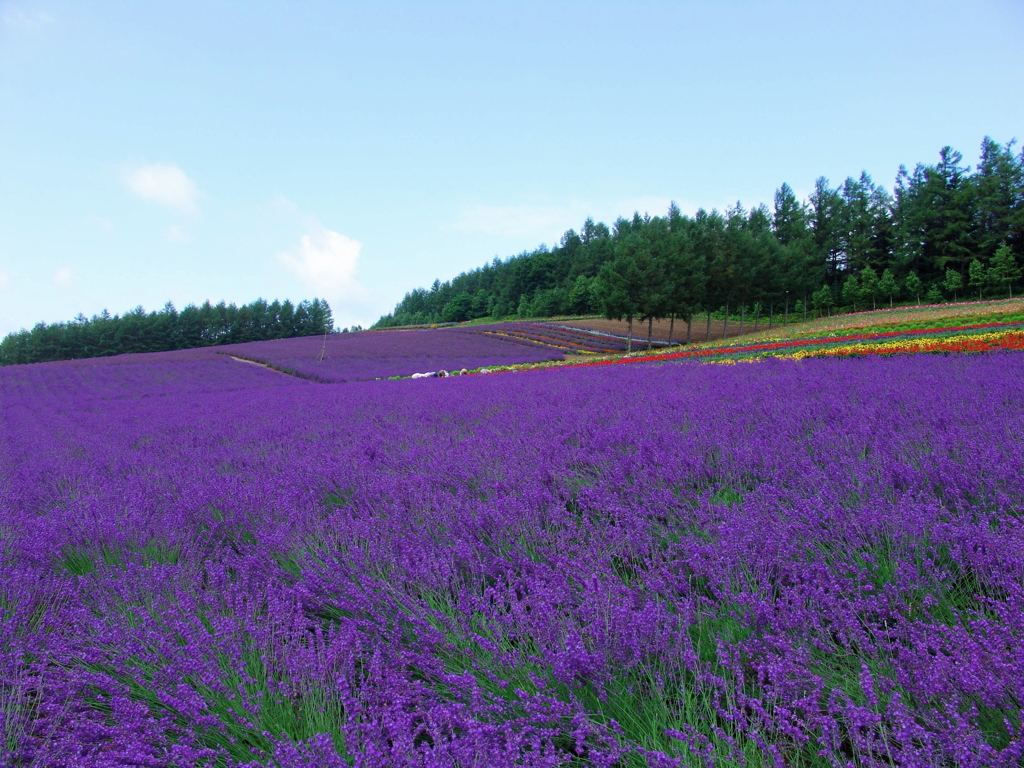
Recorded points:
193,151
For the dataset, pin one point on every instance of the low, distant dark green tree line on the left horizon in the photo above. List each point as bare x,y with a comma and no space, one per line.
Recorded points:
139,331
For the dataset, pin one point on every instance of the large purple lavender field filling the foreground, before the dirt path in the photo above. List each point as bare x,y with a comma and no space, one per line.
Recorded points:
816,564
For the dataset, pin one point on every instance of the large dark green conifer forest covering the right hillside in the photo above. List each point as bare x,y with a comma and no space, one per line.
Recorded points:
945,233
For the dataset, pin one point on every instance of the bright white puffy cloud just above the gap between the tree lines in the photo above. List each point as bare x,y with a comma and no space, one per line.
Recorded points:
326,262
